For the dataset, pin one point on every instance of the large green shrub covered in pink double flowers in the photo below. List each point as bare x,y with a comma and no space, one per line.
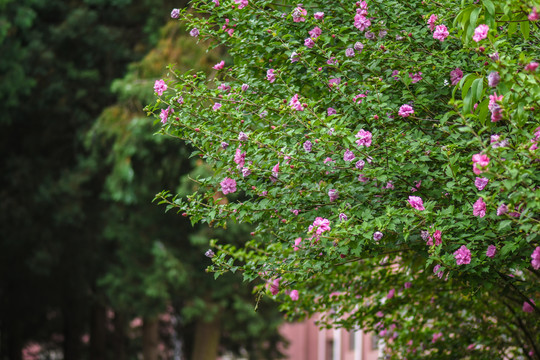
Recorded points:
440,207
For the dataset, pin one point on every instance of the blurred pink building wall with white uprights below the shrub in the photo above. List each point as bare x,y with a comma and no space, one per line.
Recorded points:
307,342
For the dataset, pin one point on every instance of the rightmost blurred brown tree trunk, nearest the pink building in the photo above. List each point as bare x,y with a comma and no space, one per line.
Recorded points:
207,335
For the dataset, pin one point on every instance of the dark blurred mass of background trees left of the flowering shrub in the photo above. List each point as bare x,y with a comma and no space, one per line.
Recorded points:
83,251
